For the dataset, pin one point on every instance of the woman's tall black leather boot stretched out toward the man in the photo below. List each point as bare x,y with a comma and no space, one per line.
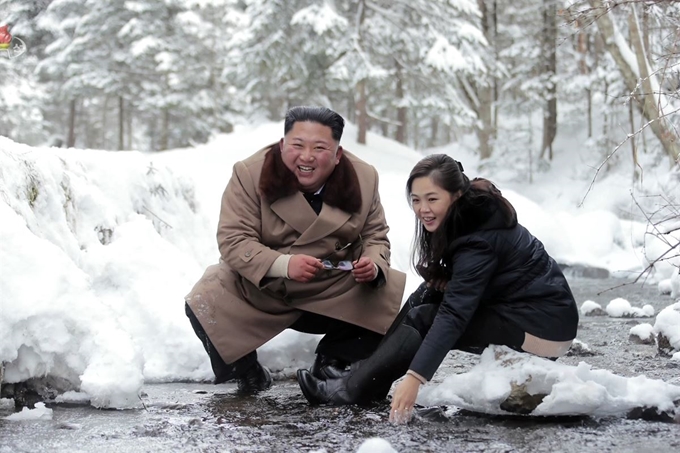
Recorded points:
368,378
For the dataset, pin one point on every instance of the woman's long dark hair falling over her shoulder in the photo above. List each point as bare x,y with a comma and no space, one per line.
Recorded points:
429,249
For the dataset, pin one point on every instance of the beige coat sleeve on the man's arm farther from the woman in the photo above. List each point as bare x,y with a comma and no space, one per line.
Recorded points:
239,233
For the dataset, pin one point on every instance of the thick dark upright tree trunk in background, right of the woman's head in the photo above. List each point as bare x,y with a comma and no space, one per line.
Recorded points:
550,71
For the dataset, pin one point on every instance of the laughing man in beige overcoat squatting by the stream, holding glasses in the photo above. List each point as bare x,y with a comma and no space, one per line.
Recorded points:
303,244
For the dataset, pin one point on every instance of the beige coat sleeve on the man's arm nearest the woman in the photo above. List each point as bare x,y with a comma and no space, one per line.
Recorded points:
374,234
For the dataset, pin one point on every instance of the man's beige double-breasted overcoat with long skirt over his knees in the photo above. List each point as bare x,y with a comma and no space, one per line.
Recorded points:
241,309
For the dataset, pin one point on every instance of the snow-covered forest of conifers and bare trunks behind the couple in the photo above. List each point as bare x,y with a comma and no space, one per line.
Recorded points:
499,78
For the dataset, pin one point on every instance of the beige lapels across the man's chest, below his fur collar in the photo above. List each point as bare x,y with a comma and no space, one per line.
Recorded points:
296,212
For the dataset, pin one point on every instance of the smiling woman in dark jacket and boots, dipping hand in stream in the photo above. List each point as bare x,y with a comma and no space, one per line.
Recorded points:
488,280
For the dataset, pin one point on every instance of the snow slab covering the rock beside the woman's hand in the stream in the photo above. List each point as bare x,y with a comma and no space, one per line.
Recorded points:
569,390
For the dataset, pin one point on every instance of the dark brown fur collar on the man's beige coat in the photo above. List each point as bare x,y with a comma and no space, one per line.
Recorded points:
341,190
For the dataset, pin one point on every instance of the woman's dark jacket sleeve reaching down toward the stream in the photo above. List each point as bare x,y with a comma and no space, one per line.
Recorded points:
473,266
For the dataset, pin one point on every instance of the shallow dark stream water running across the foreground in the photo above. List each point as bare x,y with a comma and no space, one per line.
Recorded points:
192,417
